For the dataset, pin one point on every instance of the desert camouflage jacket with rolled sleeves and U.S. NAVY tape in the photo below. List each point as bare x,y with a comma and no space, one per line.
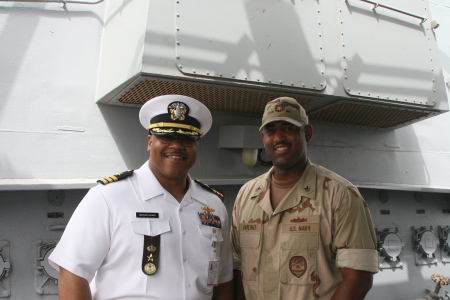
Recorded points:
295,252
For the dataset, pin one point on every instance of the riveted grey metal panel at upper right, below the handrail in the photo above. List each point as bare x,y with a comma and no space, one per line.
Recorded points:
388,55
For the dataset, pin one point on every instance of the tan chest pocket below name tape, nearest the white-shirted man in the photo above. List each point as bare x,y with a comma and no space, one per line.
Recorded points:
250,242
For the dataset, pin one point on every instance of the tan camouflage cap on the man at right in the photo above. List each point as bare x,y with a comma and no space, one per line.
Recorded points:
284,109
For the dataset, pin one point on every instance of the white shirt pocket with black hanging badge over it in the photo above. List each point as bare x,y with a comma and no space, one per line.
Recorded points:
153,228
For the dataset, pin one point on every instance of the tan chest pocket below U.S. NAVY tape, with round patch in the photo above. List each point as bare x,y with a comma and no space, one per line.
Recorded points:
299,246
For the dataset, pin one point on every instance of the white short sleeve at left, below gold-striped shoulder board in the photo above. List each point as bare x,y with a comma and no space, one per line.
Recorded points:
86,239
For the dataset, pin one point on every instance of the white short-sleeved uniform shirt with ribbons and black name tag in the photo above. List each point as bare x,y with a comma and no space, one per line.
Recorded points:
103,241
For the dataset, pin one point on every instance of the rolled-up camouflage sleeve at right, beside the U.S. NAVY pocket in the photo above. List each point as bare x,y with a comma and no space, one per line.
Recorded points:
354,238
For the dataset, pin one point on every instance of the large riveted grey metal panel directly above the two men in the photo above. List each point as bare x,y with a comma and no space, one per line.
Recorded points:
261,41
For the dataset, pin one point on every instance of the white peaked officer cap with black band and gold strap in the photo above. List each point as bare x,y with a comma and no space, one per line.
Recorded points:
175,114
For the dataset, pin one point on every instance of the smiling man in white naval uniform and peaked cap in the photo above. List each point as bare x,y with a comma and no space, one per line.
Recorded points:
153,233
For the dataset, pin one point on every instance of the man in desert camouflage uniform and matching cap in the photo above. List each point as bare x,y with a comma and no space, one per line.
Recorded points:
300,231
